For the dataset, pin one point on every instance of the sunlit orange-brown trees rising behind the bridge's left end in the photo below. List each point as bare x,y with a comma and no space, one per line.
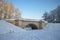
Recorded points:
7,10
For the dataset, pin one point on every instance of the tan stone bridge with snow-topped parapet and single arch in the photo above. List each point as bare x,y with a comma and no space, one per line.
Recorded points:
23,23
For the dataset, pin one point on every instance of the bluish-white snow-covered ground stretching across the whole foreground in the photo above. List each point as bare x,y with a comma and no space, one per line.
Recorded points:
11,32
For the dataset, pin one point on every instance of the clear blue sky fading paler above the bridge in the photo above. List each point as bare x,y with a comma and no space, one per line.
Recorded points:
34,9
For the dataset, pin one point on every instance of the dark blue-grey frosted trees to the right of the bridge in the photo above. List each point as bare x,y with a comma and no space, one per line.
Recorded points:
53,16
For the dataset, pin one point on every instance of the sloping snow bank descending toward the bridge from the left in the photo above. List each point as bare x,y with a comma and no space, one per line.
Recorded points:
6,27
